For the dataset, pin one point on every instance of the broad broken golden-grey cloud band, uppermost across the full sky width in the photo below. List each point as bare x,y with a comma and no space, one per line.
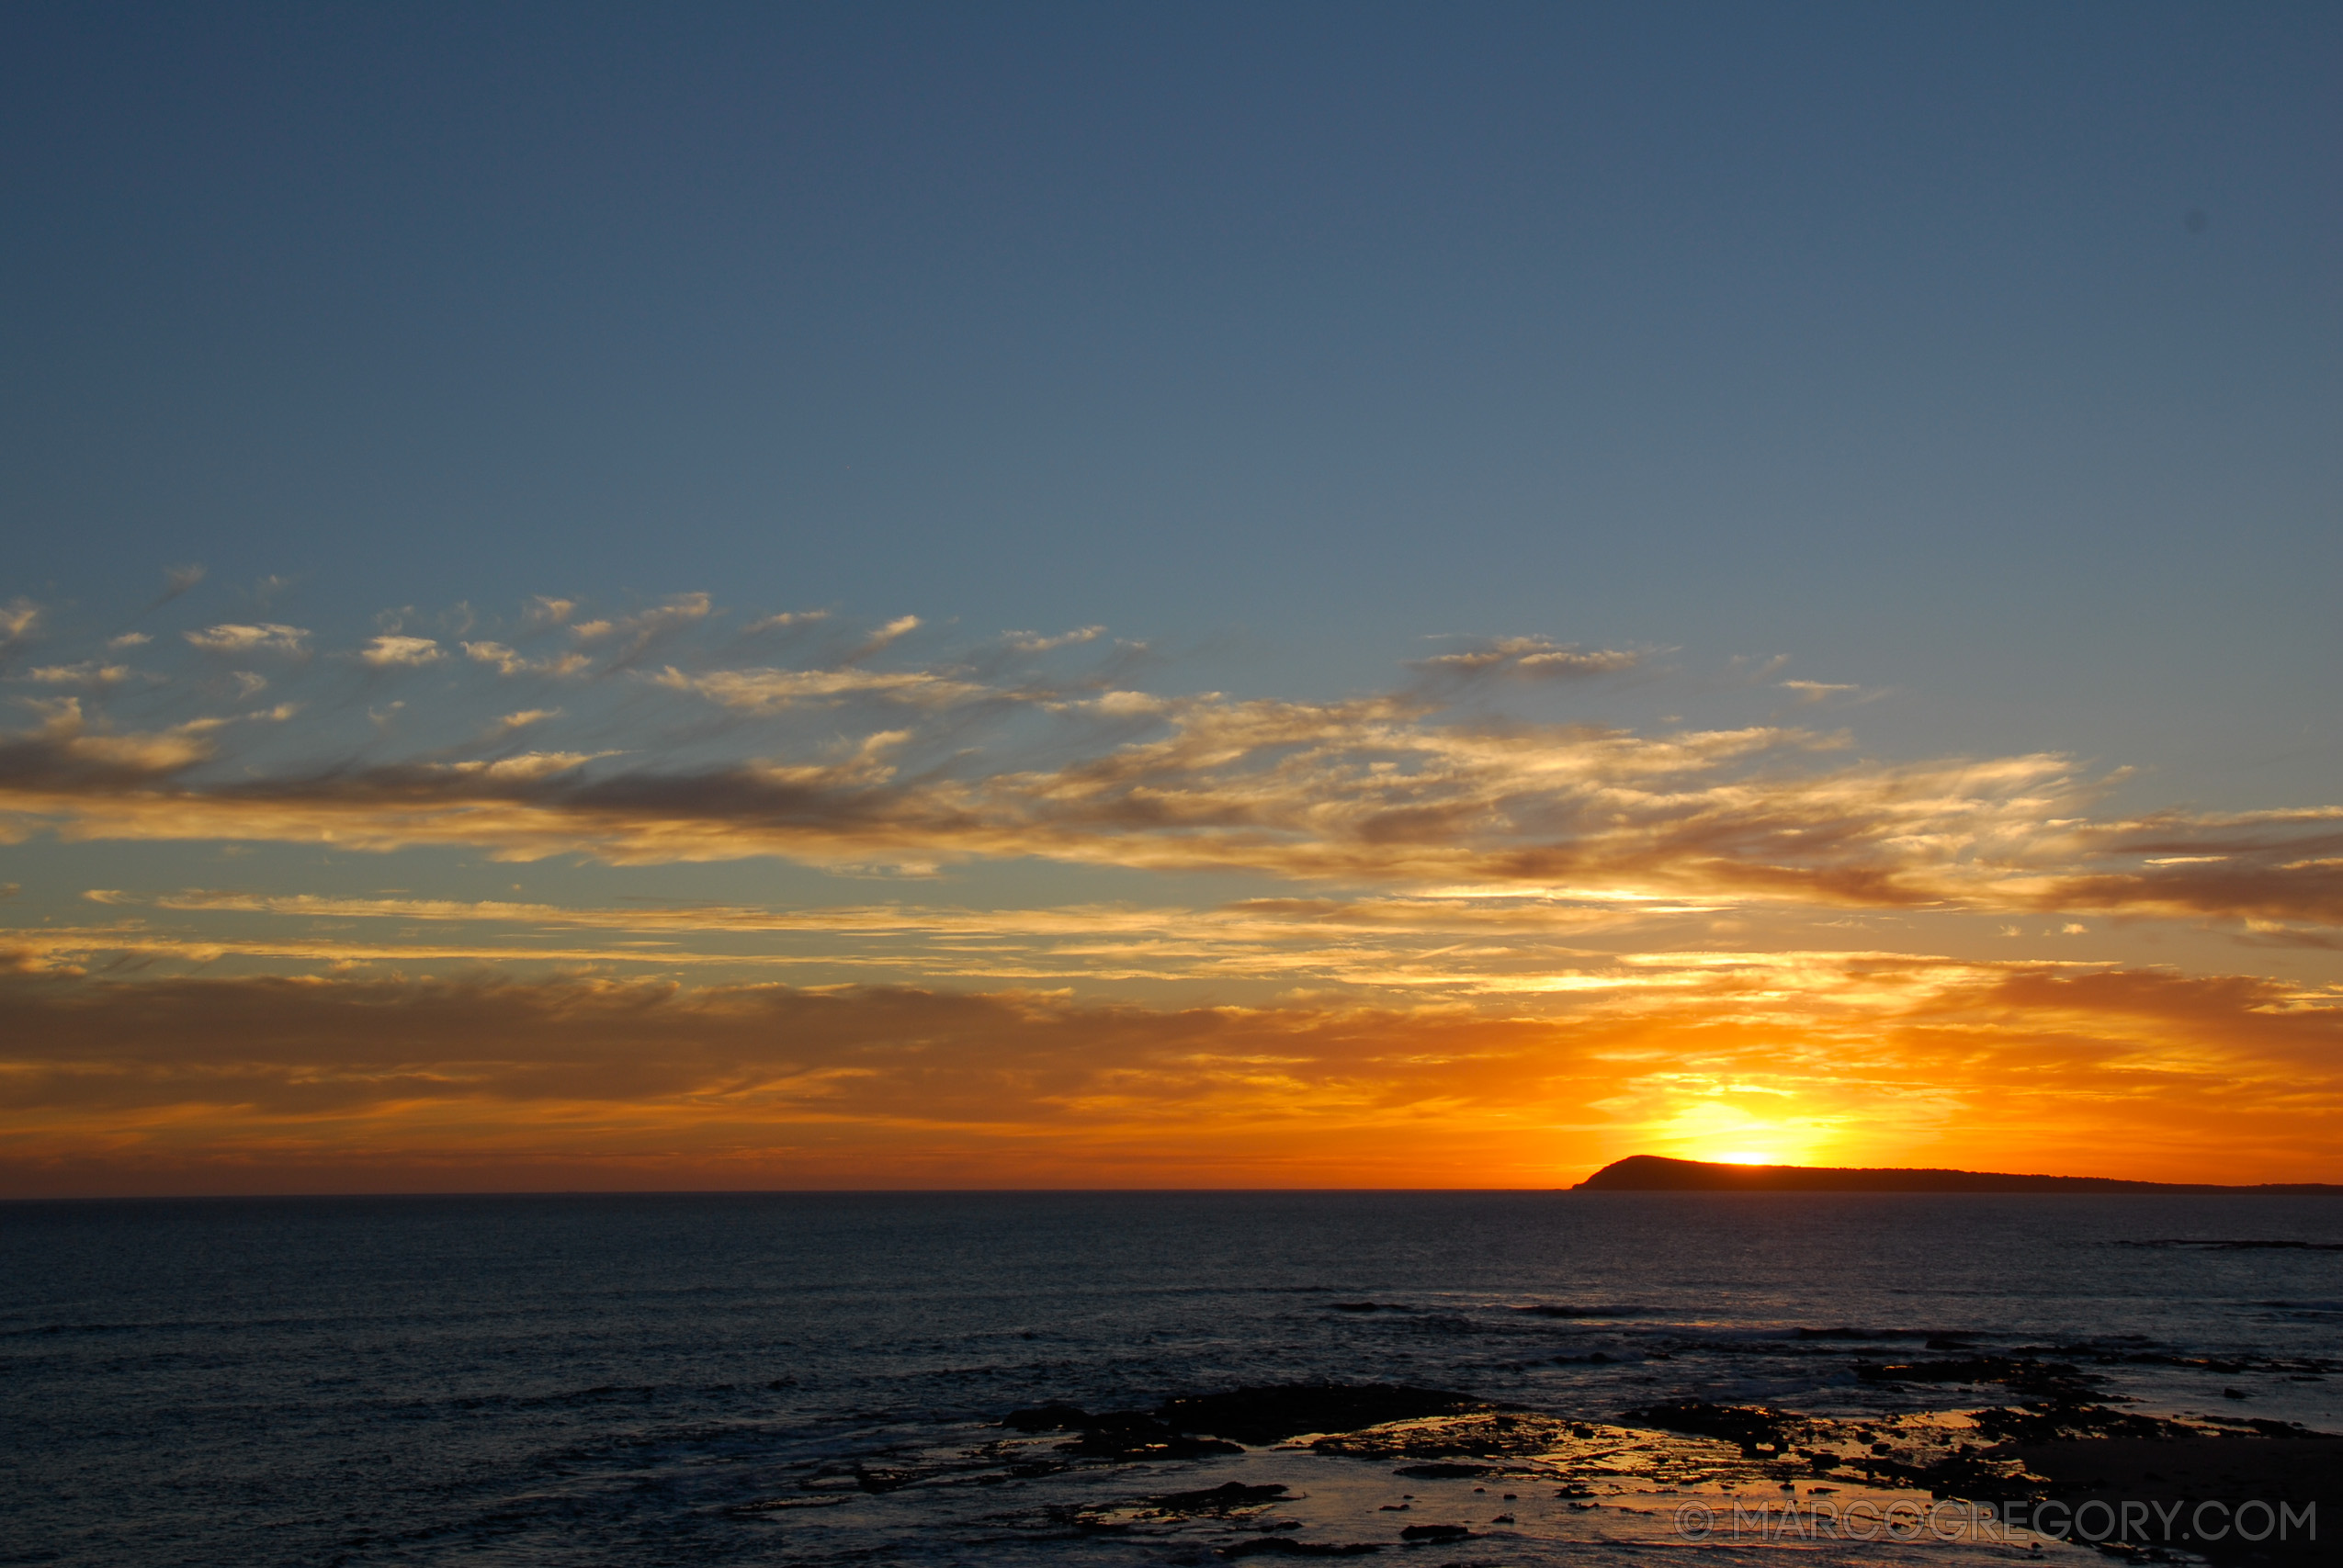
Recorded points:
852,768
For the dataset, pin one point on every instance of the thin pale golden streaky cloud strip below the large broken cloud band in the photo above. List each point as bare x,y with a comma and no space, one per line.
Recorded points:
1463,948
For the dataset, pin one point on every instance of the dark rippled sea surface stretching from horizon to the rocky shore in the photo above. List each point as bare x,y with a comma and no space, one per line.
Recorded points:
805,1379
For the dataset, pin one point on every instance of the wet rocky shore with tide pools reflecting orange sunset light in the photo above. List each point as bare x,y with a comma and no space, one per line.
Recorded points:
1365,1468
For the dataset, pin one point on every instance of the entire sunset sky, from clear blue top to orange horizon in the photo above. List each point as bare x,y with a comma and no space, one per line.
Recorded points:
889,596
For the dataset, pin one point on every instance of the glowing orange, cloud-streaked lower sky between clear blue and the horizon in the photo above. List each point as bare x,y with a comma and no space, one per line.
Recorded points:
988,922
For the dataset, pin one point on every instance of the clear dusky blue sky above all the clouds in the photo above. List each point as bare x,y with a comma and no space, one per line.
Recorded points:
1873,336
